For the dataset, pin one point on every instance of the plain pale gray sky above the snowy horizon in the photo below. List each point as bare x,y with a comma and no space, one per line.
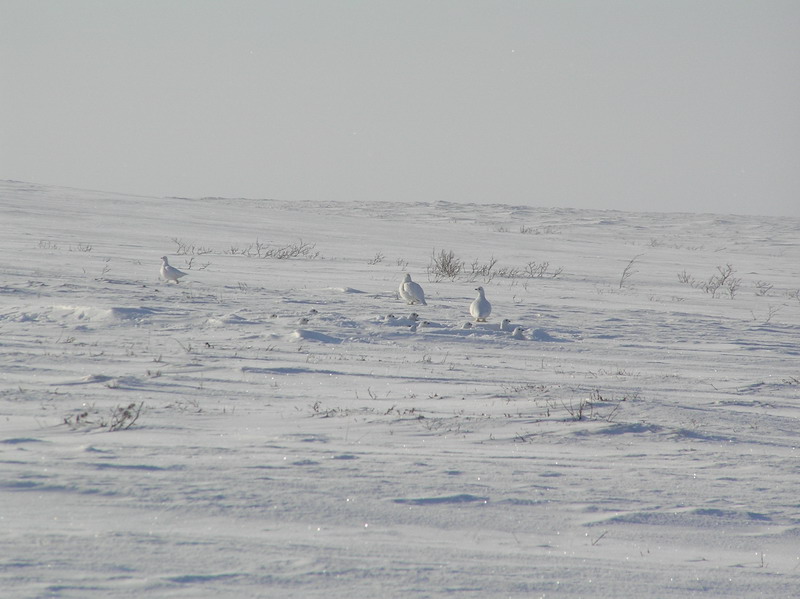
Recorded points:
648,105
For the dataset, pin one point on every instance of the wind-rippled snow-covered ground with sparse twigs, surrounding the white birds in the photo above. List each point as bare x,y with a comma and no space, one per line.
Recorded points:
265,428
